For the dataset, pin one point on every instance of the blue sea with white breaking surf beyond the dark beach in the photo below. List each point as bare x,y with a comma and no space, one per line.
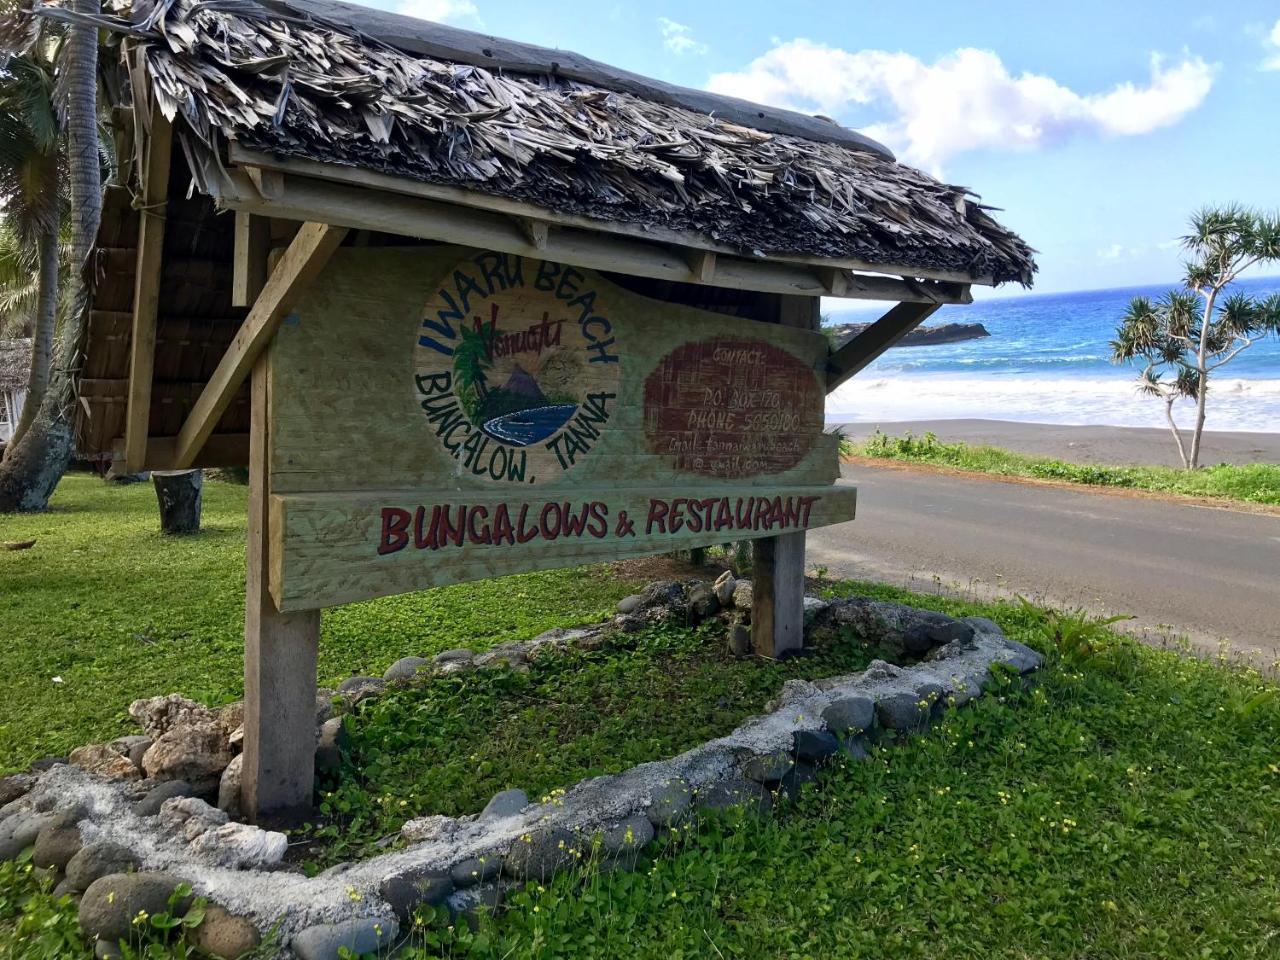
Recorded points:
1048,362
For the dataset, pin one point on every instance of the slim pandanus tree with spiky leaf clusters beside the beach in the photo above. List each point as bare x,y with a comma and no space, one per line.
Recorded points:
1185,337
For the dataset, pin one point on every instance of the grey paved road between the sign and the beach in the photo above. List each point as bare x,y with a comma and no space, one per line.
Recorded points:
1205,573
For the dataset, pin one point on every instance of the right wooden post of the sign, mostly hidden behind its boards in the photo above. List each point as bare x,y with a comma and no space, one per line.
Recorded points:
778,563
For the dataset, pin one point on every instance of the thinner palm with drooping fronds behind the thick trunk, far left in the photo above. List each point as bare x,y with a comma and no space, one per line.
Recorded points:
31,168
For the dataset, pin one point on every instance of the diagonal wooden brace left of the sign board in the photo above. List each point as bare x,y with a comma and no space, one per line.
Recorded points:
301,264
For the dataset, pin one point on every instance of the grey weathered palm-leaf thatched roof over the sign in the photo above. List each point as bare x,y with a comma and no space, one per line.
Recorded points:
299,79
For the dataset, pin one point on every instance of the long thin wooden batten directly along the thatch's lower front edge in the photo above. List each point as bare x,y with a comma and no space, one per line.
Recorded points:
390,184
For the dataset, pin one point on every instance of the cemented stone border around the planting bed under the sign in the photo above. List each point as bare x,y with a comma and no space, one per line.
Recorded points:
468,862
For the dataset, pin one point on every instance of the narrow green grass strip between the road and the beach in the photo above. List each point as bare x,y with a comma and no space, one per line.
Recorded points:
1255,483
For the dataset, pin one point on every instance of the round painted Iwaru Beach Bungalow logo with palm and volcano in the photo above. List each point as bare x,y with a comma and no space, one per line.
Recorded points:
516,368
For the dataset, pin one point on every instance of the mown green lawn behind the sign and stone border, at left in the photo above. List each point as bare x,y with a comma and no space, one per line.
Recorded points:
118,611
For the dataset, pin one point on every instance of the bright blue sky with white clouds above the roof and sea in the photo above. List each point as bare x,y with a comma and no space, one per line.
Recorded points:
1096,127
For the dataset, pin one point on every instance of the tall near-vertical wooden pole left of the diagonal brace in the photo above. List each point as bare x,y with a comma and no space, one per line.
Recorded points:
147,291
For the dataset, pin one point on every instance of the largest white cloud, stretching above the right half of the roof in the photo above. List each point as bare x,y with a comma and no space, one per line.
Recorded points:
966,100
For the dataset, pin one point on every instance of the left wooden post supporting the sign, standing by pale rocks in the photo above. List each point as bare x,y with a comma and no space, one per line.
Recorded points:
281,653
